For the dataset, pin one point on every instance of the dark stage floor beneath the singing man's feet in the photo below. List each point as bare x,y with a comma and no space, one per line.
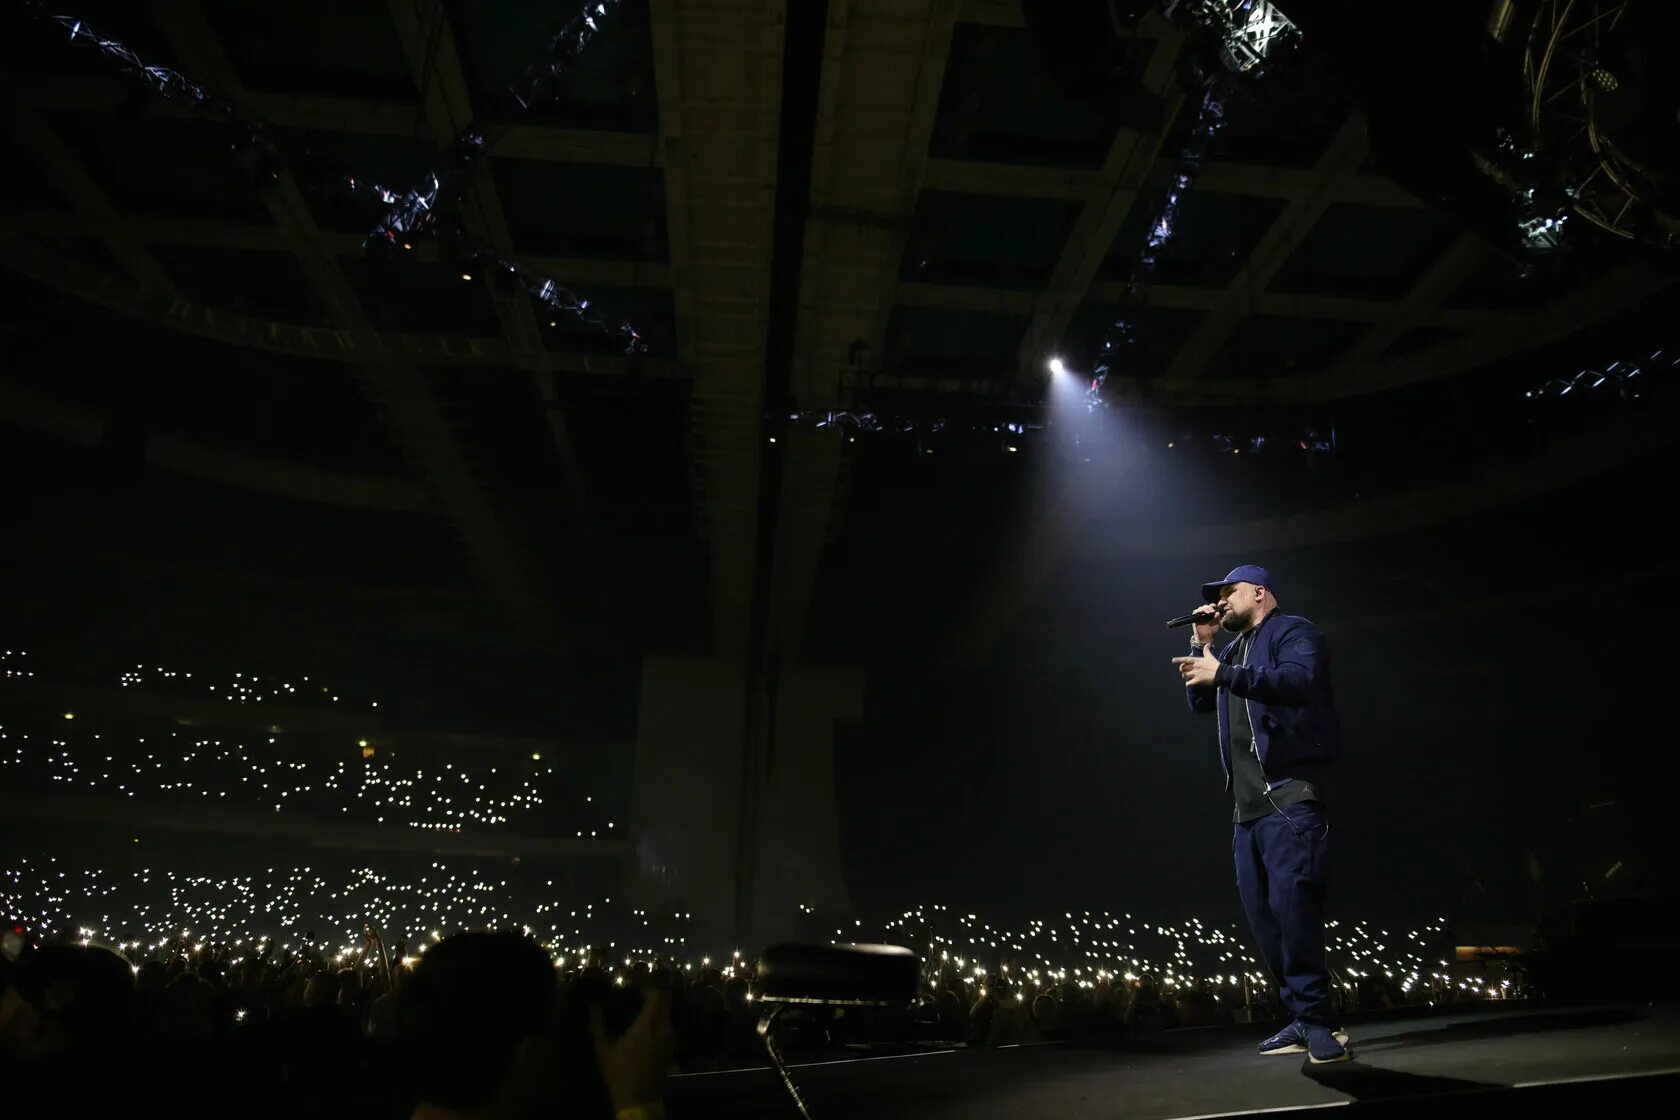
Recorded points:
1462,1054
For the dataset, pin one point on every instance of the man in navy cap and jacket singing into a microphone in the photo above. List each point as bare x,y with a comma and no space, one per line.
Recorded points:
1279,733
